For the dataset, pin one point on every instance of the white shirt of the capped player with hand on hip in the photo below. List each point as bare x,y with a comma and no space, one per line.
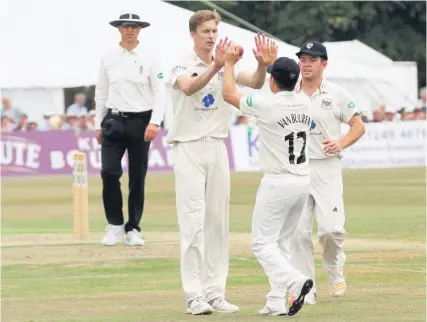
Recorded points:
331,106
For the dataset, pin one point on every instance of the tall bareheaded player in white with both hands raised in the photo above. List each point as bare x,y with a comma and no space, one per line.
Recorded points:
202,176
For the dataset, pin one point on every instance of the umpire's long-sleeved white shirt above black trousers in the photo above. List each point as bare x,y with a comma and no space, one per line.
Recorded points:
130,81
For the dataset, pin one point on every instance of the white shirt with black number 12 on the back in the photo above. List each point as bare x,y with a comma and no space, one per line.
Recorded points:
284,126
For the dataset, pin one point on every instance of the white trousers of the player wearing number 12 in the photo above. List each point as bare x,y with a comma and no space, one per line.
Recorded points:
279,204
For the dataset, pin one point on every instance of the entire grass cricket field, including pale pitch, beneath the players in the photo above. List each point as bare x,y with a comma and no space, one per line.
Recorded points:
48,276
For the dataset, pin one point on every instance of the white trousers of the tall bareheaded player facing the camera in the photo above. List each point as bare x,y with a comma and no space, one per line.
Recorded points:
202,187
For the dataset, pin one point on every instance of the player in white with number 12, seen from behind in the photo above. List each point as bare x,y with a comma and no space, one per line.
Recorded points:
284,121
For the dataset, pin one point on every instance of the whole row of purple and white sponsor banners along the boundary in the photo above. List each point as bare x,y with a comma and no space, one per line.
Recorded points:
387,144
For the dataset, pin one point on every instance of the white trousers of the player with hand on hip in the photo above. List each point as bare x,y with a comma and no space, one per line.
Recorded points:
326,203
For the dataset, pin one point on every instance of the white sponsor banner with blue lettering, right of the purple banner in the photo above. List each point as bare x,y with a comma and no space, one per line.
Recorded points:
385,144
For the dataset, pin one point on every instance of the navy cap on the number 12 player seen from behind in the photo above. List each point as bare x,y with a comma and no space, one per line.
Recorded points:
285,71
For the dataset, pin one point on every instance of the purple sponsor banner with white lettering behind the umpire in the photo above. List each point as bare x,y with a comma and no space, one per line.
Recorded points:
51,153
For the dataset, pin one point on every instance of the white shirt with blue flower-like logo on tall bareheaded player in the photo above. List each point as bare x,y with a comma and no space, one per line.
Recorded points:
203,114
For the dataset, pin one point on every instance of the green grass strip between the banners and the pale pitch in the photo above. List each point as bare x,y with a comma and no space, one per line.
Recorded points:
385,203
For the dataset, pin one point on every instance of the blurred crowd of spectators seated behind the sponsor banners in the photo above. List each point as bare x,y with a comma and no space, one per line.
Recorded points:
80,118
